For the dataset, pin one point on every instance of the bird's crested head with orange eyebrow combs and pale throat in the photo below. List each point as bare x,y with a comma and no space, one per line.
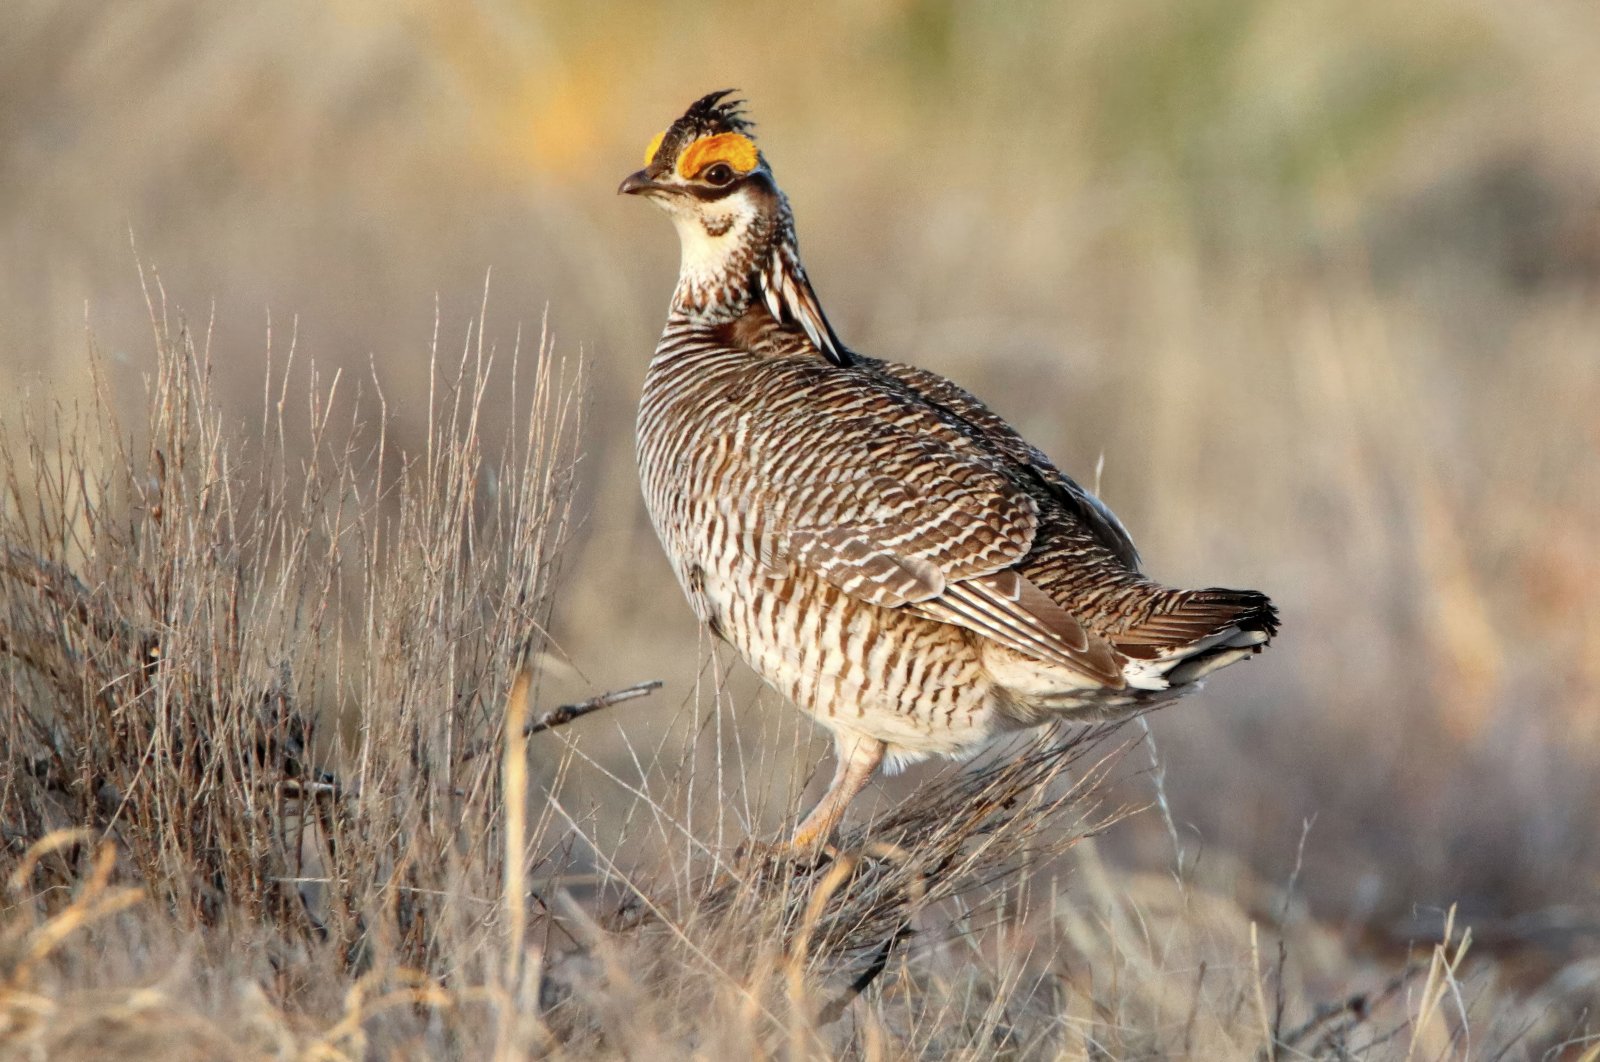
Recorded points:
710,177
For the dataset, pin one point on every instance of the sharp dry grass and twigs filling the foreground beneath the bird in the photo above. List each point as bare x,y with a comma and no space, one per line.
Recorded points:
201,863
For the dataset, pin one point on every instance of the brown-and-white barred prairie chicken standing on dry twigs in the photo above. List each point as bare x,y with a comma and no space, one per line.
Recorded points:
876,543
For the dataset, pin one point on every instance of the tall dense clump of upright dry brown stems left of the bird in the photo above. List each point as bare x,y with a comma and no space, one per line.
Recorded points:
188,615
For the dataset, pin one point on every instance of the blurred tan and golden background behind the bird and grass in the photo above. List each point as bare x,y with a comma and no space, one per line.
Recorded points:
1316,281
